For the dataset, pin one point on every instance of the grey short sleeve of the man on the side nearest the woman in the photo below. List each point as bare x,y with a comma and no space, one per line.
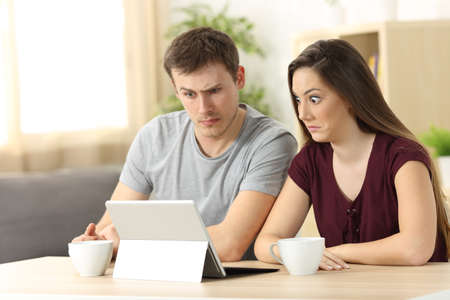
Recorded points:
268,166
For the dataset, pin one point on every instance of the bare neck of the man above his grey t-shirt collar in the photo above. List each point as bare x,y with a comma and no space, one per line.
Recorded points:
215,146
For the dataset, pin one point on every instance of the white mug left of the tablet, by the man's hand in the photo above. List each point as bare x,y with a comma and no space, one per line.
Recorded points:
91,258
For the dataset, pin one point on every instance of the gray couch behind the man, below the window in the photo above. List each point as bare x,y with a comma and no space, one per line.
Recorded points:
41,212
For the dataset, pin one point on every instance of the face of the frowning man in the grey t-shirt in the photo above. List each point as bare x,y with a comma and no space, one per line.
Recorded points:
210,97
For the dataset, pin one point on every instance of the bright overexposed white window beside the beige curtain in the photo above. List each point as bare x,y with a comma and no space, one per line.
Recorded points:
71,71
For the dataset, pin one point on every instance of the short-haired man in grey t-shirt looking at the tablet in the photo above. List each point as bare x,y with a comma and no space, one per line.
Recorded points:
230,159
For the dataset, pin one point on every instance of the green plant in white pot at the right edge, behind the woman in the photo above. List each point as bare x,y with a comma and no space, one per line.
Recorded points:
439,140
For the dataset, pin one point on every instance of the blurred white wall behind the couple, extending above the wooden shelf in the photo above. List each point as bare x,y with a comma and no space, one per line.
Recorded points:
276,22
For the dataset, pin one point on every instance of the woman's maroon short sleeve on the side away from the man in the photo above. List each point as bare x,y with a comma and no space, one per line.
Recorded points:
405,150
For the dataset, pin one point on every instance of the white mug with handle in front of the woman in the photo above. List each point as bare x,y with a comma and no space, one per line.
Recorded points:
301,255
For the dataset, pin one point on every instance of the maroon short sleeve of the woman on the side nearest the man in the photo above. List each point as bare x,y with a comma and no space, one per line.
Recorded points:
298,171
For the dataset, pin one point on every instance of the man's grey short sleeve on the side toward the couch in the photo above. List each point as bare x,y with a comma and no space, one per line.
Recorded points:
133,172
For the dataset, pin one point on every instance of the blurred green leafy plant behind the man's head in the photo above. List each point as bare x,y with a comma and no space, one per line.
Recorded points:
240,29
